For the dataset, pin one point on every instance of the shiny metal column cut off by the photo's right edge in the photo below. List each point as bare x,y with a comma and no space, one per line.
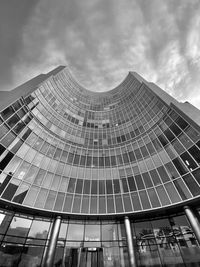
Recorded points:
194,222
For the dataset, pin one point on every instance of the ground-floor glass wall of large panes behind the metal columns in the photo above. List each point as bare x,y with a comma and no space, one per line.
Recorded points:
159,242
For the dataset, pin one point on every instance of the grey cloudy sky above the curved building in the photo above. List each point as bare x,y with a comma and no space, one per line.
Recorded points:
101,40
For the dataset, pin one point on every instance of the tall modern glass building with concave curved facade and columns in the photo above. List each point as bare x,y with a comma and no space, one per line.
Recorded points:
91,179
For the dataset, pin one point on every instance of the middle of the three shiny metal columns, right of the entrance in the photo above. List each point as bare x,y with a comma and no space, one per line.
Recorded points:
131,251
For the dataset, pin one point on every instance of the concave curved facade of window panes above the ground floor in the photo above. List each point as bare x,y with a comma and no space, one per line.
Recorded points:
154,164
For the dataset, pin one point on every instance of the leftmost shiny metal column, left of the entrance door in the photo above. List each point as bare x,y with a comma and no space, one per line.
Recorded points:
49,257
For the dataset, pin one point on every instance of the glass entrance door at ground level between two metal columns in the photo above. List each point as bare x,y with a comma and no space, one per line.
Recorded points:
91,257
